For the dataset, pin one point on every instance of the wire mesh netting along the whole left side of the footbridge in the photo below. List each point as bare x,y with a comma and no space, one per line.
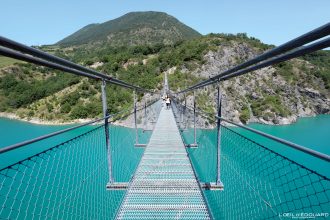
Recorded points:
68,180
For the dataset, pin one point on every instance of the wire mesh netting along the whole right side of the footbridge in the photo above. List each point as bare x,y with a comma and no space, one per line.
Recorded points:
259,183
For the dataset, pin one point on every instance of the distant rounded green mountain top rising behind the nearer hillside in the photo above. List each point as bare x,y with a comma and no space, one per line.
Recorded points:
132,29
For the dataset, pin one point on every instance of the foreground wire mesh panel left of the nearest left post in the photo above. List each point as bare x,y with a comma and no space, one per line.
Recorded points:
60,182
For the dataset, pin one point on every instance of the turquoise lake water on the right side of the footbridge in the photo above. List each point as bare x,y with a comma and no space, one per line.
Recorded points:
261,177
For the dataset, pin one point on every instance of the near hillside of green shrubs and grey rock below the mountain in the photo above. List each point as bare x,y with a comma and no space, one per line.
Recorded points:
275,95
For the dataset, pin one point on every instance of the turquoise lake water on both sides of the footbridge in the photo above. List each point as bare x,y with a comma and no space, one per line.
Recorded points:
247,169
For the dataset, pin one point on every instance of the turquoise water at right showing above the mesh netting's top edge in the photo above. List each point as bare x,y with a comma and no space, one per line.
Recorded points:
310,132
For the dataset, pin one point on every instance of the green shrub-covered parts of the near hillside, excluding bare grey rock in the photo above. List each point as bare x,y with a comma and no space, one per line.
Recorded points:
139,65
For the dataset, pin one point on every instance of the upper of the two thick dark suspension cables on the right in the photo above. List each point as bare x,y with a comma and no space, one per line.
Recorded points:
311,36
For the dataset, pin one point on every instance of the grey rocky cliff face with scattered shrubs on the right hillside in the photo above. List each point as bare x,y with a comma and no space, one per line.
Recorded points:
268,95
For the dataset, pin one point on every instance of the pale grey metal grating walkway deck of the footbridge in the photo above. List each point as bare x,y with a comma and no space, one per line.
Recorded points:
164,185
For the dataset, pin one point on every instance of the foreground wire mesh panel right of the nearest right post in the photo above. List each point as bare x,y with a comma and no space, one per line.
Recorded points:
268,182
